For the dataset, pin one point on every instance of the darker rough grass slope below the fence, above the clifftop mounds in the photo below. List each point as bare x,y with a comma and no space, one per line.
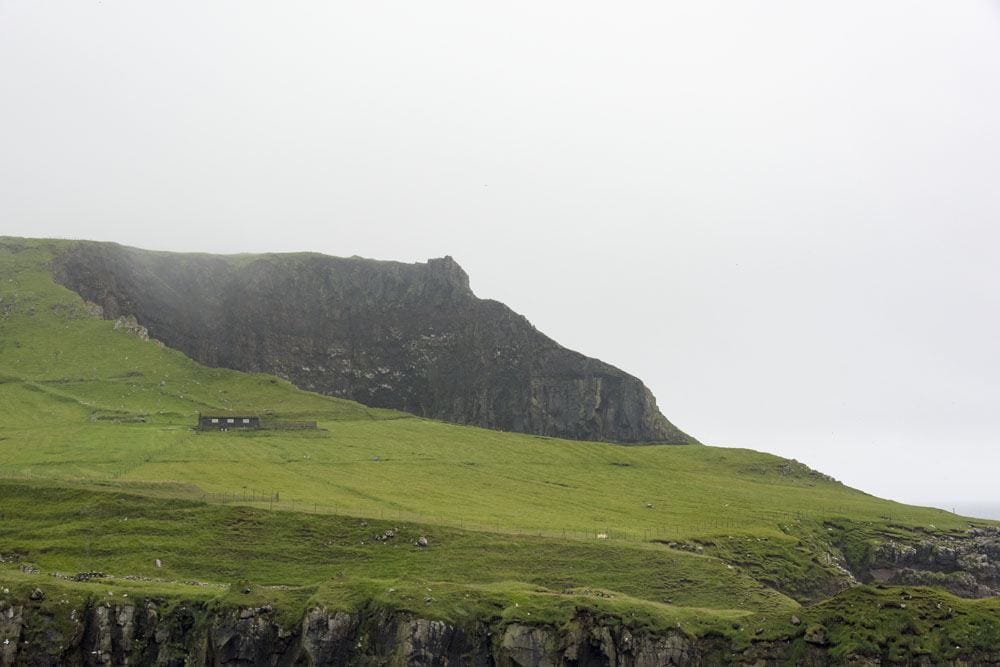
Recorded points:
74,529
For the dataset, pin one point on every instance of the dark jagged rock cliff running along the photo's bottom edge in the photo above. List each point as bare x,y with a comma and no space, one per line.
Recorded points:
106,633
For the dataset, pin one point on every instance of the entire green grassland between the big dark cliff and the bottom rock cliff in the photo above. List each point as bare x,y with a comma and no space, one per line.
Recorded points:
102,470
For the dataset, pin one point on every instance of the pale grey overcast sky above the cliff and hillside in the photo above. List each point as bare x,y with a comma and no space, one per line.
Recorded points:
784,216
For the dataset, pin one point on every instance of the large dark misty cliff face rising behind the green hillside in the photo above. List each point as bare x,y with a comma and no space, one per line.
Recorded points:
407,336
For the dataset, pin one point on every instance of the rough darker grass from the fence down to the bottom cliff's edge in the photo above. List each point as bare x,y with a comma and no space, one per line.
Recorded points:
232,557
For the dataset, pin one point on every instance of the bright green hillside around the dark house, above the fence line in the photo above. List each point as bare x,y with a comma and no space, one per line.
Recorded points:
82,400
